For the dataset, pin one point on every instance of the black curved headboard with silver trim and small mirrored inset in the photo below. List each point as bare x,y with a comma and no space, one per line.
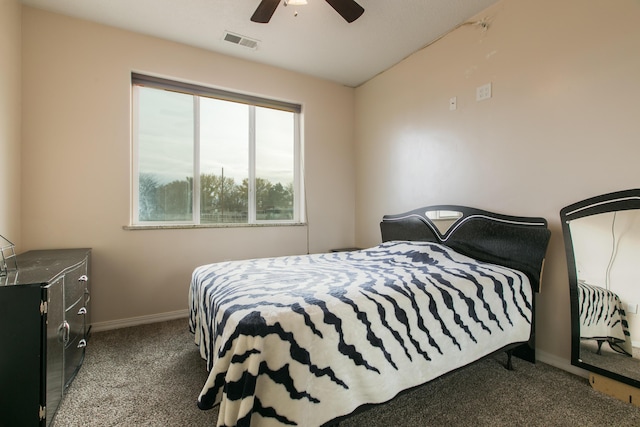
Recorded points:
511,241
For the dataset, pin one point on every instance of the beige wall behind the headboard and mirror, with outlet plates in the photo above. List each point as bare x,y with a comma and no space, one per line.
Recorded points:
562,125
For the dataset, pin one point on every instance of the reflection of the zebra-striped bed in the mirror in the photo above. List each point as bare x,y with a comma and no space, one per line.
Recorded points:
603,318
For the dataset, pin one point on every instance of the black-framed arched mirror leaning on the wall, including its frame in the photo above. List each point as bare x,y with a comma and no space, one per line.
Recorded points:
602,243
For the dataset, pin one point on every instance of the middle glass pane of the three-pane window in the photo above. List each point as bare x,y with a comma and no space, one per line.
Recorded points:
224,161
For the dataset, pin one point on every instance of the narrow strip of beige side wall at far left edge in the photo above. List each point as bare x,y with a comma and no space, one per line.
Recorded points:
10,120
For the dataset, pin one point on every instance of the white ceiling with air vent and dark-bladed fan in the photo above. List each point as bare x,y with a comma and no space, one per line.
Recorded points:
317,41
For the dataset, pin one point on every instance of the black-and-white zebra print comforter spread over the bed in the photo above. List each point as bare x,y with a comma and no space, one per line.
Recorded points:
301,340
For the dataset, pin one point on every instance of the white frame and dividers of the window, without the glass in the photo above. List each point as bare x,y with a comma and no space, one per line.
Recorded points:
252,102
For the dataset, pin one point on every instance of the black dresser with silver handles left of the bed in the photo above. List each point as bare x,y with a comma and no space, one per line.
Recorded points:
44,325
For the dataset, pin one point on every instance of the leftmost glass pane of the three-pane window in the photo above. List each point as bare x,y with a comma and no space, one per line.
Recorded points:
165,155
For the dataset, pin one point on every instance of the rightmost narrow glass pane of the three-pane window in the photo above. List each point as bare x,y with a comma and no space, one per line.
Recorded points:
274,164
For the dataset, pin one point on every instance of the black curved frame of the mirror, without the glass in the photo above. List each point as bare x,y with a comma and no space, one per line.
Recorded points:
616,201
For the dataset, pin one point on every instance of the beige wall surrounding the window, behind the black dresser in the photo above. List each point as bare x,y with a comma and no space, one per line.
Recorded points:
76,161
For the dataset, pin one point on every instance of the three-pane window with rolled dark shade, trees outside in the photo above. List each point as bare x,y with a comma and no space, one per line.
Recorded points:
207,156
